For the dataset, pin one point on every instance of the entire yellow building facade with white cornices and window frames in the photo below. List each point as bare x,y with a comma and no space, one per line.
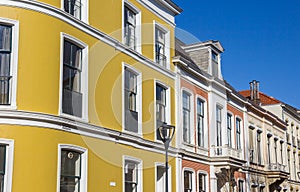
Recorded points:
84,85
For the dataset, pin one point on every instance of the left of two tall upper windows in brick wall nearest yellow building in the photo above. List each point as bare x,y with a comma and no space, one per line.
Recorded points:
186,117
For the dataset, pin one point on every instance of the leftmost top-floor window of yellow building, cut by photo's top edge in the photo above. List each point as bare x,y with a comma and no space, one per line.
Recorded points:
76,8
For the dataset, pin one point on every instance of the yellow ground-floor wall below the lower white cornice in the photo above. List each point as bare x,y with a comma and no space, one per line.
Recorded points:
38,158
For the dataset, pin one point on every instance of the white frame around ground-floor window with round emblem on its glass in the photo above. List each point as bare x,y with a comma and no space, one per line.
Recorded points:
84,165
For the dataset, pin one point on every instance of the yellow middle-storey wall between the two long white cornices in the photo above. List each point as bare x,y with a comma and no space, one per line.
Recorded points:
39,71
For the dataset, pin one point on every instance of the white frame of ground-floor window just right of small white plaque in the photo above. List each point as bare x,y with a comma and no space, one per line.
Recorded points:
139,164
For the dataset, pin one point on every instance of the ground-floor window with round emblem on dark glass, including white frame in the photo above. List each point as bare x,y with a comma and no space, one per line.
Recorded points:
72,169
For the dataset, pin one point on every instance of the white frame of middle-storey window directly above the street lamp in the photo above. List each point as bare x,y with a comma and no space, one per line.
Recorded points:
168,103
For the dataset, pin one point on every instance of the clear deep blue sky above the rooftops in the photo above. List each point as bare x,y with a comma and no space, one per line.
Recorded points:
261,40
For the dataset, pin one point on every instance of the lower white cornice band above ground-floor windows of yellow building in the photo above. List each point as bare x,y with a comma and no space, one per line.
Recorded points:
40,120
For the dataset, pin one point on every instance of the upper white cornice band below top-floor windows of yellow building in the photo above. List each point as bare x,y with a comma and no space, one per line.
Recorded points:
63,16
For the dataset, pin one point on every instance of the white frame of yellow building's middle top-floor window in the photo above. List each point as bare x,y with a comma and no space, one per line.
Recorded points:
138,29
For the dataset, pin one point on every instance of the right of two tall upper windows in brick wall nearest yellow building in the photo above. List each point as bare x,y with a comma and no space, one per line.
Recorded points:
200,122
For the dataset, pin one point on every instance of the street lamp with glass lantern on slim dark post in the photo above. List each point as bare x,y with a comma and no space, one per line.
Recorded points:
166,133
